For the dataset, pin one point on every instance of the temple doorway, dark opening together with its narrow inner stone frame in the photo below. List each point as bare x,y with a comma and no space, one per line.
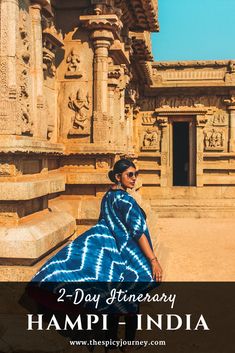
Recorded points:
183,151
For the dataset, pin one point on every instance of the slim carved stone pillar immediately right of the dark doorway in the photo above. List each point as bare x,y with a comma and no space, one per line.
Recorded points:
201,120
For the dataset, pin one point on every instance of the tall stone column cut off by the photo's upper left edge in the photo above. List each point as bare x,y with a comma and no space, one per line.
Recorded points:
9,18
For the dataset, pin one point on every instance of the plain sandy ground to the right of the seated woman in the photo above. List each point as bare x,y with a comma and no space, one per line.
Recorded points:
198,249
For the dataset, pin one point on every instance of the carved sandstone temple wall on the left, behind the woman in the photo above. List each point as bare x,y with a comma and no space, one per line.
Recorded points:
67,104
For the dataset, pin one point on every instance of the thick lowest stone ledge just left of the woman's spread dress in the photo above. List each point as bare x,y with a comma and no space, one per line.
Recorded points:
35,239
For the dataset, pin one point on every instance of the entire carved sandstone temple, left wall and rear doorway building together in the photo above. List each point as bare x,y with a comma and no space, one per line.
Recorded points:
79,90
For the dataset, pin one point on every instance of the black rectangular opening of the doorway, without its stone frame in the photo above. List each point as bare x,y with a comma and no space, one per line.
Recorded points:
180,153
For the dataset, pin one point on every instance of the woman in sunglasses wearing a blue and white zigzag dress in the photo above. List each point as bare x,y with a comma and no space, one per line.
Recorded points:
117,249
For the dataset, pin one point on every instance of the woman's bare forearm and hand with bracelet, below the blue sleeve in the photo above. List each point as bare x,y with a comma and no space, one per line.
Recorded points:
145,247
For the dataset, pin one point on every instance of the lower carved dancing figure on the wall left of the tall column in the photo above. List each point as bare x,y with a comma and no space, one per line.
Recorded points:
80,105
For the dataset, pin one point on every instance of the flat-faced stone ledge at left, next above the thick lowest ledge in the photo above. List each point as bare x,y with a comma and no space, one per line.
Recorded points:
26,190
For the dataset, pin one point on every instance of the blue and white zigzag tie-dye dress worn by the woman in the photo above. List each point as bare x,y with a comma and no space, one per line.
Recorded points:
107,252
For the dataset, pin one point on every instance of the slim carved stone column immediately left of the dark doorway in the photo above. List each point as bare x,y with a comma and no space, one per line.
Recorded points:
163,123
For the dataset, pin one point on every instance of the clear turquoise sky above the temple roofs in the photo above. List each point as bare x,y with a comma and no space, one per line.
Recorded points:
195,30
